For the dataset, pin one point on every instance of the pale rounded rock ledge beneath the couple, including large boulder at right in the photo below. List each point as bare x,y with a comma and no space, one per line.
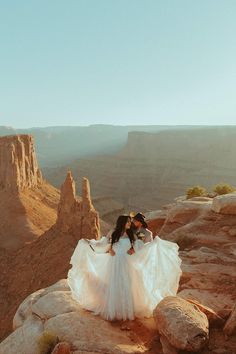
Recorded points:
53,311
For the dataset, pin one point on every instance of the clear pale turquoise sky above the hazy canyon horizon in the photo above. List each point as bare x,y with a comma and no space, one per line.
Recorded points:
122,62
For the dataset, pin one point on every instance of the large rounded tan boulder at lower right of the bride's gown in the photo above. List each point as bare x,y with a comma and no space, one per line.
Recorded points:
181,325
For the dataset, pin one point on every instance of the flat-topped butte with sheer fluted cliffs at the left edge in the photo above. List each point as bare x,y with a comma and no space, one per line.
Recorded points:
18,164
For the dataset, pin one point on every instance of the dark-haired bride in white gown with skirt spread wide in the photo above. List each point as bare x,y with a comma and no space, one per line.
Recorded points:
119,277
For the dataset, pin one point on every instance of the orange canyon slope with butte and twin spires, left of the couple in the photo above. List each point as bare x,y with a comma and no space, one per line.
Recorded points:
28,260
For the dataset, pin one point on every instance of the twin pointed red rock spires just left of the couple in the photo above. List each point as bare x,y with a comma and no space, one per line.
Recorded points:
77,216
